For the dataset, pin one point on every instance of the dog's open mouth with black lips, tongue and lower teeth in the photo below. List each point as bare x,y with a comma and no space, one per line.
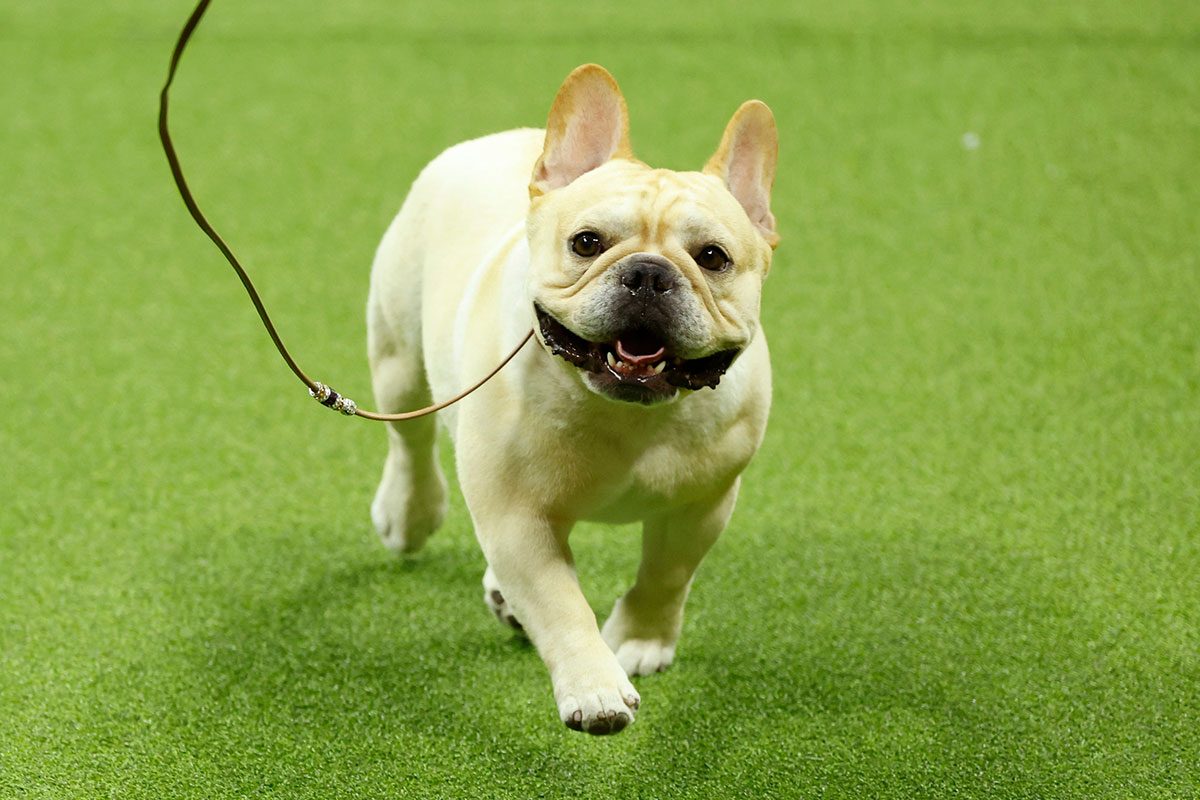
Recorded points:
638,366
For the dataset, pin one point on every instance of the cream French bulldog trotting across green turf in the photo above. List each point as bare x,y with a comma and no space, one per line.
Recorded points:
645,400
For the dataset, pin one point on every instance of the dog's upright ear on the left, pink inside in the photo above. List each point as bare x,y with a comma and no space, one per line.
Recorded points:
589,127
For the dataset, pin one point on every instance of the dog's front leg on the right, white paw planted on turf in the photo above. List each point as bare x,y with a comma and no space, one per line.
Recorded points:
645,624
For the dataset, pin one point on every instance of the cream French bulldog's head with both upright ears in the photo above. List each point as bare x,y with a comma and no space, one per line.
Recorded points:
647,281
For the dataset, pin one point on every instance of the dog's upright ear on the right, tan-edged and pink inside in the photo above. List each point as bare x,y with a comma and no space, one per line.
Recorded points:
746,161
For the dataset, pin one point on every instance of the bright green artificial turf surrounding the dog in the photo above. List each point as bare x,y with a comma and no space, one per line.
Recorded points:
965,564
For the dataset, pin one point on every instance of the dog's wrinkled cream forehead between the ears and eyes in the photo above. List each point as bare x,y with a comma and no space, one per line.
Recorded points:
626,200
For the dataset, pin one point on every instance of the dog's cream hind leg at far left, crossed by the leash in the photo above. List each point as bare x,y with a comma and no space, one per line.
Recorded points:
411,502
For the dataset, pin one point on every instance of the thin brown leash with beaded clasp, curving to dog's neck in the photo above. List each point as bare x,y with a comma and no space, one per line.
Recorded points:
323,394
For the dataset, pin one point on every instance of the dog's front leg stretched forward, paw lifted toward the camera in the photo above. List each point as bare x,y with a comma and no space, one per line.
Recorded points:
531,560
